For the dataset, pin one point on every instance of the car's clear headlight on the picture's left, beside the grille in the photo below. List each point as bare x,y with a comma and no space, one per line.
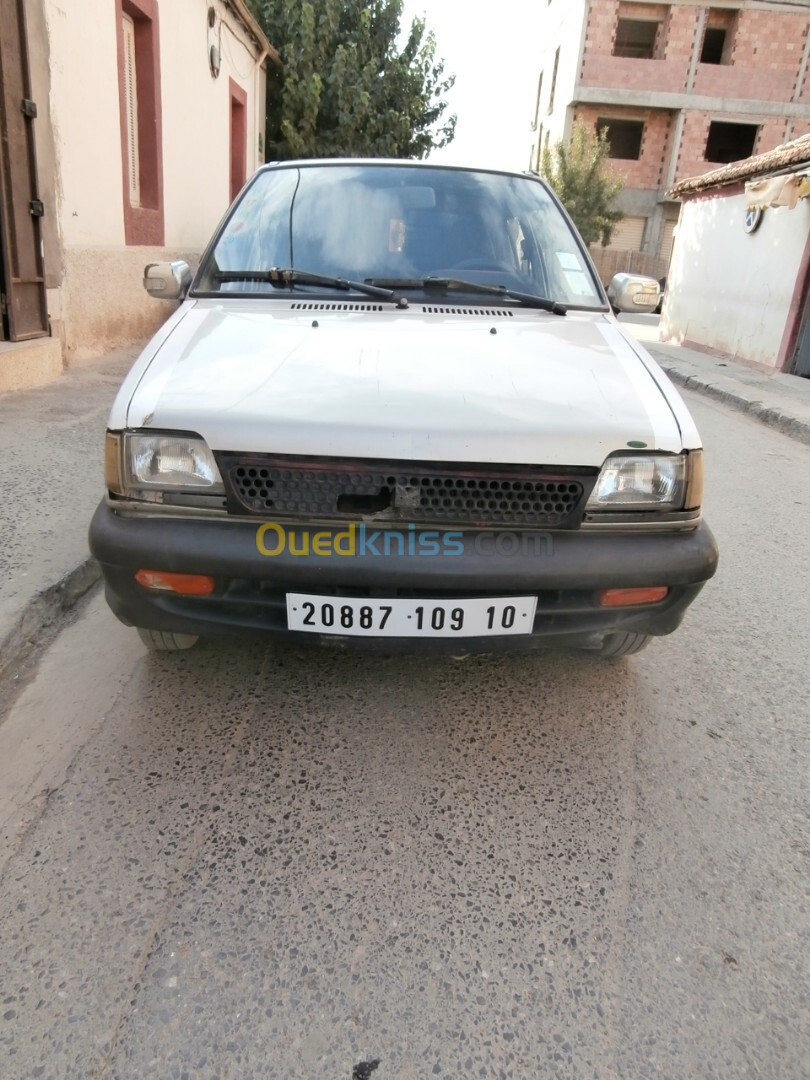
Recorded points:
170,462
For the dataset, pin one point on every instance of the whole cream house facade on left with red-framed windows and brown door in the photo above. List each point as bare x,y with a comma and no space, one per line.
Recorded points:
141,120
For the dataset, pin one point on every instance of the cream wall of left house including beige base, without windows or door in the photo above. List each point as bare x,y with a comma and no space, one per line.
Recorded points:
101,304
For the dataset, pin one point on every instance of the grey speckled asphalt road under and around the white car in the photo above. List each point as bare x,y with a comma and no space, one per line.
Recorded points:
262,862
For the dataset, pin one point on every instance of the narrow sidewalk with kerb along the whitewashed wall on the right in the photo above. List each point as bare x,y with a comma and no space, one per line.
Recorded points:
780,401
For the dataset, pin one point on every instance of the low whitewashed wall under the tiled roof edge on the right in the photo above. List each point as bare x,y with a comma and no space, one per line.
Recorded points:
728,290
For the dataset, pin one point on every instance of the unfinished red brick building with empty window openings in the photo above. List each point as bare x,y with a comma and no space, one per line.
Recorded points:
680,87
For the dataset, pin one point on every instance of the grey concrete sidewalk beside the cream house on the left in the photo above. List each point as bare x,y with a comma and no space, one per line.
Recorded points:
51,478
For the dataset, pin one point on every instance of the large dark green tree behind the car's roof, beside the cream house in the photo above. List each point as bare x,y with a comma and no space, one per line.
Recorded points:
347,89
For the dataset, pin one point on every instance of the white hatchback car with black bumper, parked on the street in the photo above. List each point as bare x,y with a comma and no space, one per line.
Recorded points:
394,407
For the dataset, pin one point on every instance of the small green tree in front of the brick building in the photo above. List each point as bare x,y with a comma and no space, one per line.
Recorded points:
584,182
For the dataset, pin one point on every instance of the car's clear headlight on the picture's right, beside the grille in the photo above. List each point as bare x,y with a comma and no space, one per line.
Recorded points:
641,482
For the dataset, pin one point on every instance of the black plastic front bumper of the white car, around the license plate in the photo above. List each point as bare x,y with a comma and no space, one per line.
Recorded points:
566,571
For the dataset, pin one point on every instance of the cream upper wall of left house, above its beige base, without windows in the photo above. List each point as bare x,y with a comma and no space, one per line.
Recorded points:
196,116
